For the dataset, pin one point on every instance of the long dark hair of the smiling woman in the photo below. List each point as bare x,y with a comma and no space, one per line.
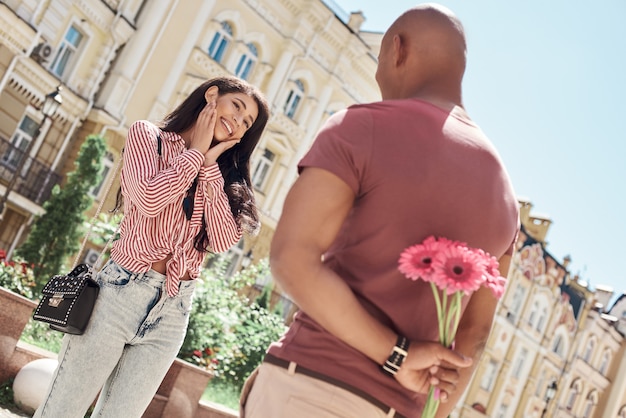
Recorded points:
234,163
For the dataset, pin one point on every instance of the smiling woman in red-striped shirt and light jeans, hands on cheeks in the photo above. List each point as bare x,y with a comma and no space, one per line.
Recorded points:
186,190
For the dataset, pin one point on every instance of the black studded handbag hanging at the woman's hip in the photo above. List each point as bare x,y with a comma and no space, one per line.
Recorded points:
67,301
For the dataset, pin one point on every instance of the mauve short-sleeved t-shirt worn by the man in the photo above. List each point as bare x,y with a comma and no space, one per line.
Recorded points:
416,170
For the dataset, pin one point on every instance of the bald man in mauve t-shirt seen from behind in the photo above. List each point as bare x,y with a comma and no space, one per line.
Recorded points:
379,178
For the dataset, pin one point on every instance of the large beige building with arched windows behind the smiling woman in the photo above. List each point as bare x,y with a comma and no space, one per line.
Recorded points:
118,61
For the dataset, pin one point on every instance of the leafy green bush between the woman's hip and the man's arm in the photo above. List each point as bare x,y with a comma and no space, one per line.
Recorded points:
227,333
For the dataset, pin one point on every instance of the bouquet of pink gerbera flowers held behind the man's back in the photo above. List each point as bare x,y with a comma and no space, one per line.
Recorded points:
453,269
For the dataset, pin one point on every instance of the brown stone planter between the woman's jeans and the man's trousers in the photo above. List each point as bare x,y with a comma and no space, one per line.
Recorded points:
180,392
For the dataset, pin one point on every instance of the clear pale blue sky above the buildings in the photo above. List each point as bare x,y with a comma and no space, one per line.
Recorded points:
546,80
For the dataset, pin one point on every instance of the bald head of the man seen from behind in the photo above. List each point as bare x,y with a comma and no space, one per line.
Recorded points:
423,52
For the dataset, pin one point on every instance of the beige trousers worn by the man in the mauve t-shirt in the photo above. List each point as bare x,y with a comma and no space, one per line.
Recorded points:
274,392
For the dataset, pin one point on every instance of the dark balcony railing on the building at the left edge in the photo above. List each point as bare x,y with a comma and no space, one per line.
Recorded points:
35,180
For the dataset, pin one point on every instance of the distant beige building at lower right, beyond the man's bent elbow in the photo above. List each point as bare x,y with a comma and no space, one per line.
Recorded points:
554,350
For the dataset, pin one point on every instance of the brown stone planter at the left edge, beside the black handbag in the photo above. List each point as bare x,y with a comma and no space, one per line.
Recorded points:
15,312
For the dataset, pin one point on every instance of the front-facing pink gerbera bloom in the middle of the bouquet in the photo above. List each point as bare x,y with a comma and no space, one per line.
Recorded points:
457,268
